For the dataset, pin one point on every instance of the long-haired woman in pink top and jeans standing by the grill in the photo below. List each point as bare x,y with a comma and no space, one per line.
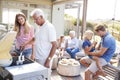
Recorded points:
25,32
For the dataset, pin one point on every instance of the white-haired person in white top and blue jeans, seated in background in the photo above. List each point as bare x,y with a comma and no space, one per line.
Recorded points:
72,45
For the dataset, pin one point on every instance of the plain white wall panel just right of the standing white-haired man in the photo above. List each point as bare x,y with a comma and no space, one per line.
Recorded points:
58,18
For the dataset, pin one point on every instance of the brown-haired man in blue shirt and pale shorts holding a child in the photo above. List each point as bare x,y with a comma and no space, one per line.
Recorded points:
108,46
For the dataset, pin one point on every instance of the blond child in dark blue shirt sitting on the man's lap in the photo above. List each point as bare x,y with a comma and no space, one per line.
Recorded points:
88,46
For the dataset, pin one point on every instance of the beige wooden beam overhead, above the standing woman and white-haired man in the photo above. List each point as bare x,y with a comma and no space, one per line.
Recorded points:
26,5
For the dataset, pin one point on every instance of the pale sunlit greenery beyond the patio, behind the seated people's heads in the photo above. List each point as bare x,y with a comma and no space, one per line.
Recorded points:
113,26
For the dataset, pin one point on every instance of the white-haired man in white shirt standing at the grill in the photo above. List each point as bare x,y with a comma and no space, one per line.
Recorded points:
45,39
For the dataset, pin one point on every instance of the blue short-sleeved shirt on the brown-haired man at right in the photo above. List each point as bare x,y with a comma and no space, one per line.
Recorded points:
108,42
